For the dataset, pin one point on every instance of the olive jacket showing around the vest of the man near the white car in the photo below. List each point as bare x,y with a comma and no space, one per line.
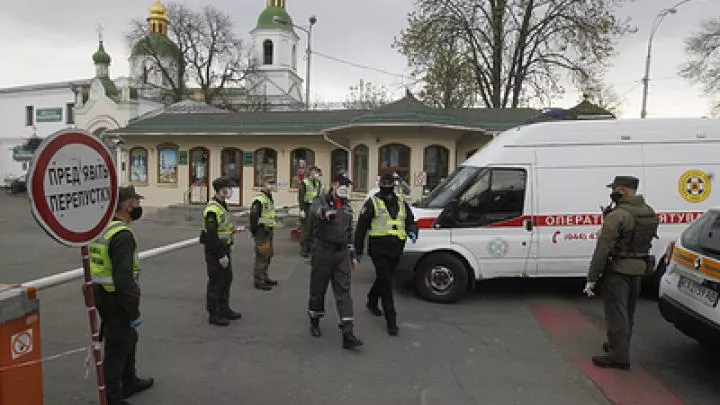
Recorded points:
615,236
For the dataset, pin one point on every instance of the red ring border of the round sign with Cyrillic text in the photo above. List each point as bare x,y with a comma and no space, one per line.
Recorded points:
36,193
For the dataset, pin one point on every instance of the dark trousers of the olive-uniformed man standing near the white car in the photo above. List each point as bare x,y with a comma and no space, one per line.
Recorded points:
620,293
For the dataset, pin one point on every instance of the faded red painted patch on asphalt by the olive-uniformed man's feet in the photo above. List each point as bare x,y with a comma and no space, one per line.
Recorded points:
580,339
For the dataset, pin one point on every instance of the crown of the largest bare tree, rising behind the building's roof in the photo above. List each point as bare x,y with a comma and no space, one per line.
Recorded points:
517,49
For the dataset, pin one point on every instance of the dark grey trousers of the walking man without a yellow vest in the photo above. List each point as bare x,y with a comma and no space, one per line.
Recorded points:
330,265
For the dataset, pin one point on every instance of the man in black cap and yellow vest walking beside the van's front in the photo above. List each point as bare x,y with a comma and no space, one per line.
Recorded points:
388,221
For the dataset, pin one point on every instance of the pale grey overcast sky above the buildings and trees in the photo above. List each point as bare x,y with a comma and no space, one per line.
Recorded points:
48,40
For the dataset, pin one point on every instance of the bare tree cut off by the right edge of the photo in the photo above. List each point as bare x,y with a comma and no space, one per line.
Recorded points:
703,66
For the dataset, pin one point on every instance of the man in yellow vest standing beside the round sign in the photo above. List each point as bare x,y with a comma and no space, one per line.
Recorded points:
115,269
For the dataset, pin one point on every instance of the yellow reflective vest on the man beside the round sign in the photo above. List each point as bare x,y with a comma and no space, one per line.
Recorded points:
100,263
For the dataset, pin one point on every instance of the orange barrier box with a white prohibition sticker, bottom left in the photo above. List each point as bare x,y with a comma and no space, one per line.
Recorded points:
20,367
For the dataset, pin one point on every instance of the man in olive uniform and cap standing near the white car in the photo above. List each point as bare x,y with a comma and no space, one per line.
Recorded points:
622,255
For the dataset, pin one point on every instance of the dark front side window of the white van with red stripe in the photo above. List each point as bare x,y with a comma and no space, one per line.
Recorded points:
497,196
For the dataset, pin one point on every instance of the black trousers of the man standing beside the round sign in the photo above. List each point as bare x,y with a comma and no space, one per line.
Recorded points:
120,347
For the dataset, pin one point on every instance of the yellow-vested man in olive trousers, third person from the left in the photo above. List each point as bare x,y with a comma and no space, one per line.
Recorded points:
262,225
